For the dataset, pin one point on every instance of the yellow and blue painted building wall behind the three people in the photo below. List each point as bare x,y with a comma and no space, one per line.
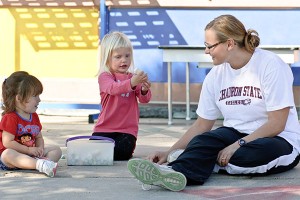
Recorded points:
69,73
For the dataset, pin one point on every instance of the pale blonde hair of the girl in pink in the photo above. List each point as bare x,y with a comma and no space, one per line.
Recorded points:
109,43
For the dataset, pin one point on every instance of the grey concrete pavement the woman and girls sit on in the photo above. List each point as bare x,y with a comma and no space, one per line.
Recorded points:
115,182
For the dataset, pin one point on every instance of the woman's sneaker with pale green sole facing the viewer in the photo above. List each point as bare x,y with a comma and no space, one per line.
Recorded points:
154,174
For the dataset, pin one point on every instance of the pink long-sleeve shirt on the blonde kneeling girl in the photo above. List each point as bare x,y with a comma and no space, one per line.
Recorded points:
120,111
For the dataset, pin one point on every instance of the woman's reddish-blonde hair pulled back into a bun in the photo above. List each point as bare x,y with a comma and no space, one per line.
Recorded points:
228,26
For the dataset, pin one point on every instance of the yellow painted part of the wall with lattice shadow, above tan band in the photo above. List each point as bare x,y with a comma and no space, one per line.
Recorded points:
19,45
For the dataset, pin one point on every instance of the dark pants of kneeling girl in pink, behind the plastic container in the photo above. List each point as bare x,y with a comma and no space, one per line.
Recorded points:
124,144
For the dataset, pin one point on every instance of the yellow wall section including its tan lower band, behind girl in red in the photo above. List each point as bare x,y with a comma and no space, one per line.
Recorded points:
64,58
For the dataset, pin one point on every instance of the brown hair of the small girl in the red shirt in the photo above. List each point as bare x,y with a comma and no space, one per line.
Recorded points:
19,83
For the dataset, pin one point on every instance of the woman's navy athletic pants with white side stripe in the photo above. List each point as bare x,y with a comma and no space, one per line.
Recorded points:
198,160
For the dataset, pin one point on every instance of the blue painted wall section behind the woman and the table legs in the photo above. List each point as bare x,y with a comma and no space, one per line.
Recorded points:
148,28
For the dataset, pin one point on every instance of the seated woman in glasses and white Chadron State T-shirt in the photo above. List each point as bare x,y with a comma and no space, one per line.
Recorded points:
252,89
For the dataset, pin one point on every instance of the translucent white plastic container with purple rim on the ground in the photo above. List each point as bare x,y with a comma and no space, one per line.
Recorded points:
83,151
